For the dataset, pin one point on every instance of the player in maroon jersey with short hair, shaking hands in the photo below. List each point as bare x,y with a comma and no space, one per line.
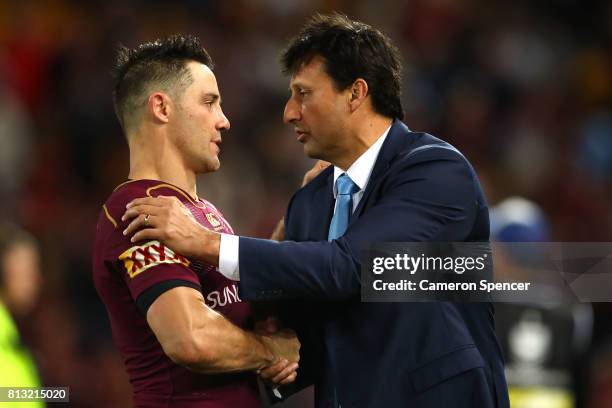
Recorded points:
179,324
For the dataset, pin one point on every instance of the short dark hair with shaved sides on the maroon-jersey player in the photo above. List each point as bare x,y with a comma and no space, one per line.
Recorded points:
162,63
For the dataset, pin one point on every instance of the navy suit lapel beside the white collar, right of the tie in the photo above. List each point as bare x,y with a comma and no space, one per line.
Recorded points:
397,139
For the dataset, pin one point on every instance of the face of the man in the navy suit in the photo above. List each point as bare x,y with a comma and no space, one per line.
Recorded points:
317,111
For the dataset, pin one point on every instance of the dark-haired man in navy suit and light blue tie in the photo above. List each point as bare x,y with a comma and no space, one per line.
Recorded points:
387,184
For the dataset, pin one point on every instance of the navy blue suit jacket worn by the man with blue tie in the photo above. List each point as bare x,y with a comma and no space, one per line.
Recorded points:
429,354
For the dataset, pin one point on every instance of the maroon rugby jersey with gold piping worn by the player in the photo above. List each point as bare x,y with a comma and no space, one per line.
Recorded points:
128,278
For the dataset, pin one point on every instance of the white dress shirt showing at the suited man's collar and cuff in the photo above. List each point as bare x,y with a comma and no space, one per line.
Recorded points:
360,172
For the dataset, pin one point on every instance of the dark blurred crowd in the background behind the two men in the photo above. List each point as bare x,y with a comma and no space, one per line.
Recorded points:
523,88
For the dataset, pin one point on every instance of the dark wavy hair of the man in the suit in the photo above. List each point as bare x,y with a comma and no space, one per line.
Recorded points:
351,50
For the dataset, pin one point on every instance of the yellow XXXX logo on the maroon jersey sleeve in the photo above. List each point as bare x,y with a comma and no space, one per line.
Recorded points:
139,258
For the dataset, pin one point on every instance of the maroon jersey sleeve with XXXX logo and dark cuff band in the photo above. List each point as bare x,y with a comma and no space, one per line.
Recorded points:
149,268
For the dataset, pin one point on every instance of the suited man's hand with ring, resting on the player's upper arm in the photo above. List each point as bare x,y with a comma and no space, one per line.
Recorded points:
166,219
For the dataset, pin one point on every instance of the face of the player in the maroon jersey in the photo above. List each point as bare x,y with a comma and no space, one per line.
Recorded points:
199,121
